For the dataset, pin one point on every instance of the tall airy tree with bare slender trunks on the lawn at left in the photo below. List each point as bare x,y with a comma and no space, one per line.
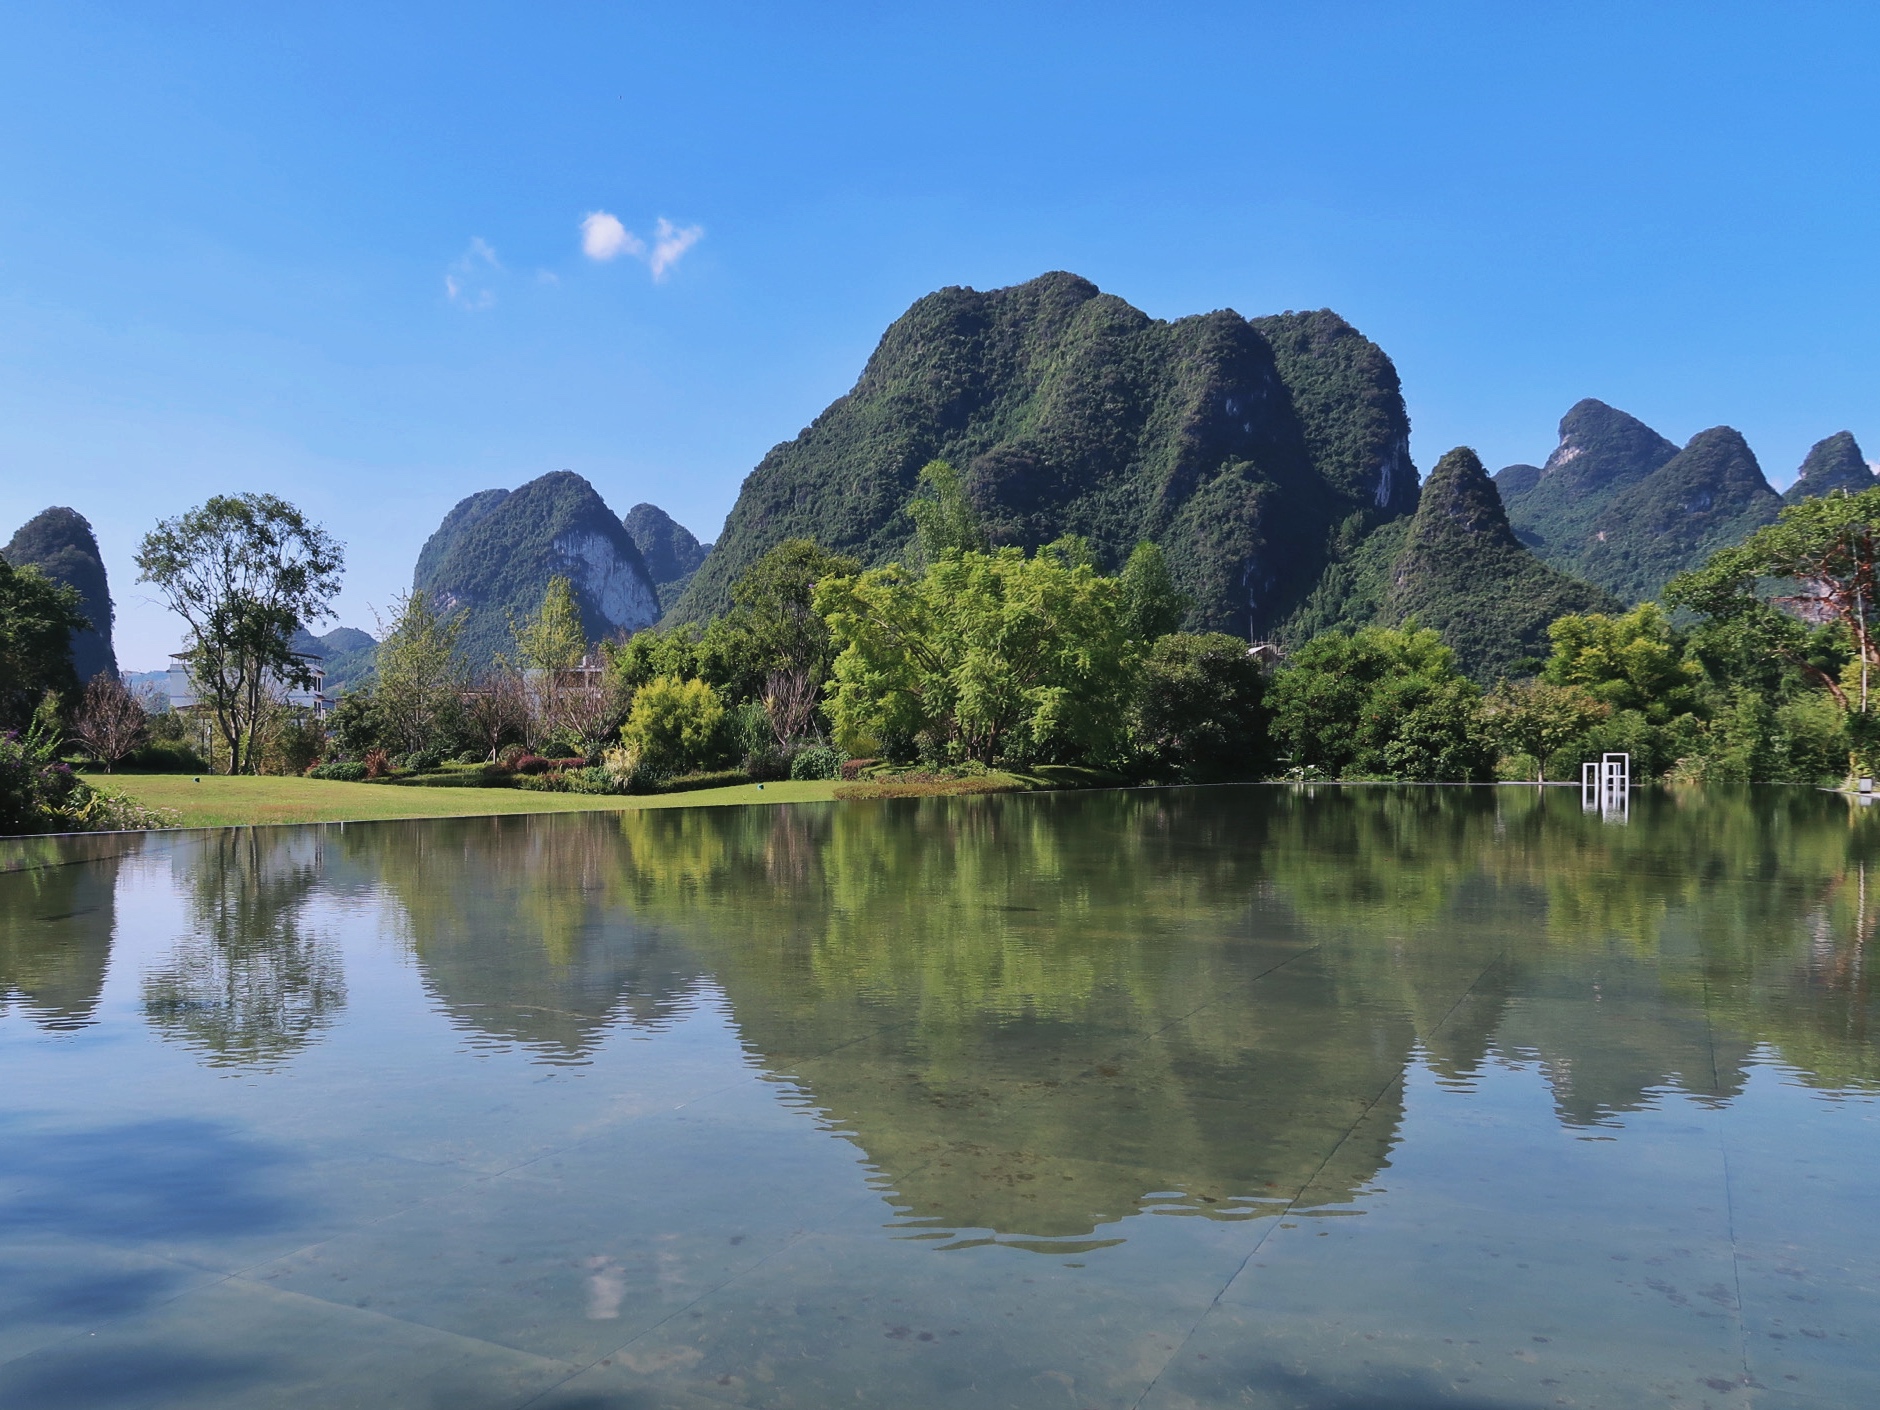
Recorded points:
243,572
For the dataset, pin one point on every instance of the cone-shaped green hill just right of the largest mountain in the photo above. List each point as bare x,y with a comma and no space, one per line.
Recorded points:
1456,567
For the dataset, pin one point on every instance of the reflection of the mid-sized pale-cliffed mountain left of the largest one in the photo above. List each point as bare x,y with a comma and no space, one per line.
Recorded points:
522,933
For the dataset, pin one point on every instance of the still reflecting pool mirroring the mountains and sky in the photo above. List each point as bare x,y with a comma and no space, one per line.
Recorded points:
1221,1097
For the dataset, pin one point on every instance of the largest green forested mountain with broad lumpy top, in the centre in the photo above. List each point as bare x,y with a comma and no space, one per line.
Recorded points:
1240,446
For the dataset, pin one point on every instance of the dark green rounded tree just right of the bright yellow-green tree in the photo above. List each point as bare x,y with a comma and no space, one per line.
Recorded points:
1200,708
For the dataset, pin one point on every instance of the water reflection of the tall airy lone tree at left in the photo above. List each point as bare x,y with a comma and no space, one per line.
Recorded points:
253,980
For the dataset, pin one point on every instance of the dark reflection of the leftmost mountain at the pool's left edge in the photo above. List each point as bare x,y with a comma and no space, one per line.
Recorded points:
55,937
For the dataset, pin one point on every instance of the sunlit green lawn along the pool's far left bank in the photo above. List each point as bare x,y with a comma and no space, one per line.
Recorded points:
219,802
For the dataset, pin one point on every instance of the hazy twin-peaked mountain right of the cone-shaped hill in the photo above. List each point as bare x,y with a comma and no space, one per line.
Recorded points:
1621,507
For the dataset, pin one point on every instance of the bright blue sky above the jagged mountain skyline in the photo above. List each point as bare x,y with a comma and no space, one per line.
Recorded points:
337,253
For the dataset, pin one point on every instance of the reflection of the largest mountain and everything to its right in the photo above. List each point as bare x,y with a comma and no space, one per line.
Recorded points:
1037,1014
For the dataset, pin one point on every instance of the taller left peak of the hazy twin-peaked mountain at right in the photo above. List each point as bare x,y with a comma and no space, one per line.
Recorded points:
1601,454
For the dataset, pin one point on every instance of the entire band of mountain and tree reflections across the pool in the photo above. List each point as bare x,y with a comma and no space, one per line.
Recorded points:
1041,1014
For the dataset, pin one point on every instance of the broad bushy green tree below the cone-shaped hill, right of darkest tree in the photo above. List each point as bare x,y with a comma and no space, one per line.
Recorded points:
1381,704
